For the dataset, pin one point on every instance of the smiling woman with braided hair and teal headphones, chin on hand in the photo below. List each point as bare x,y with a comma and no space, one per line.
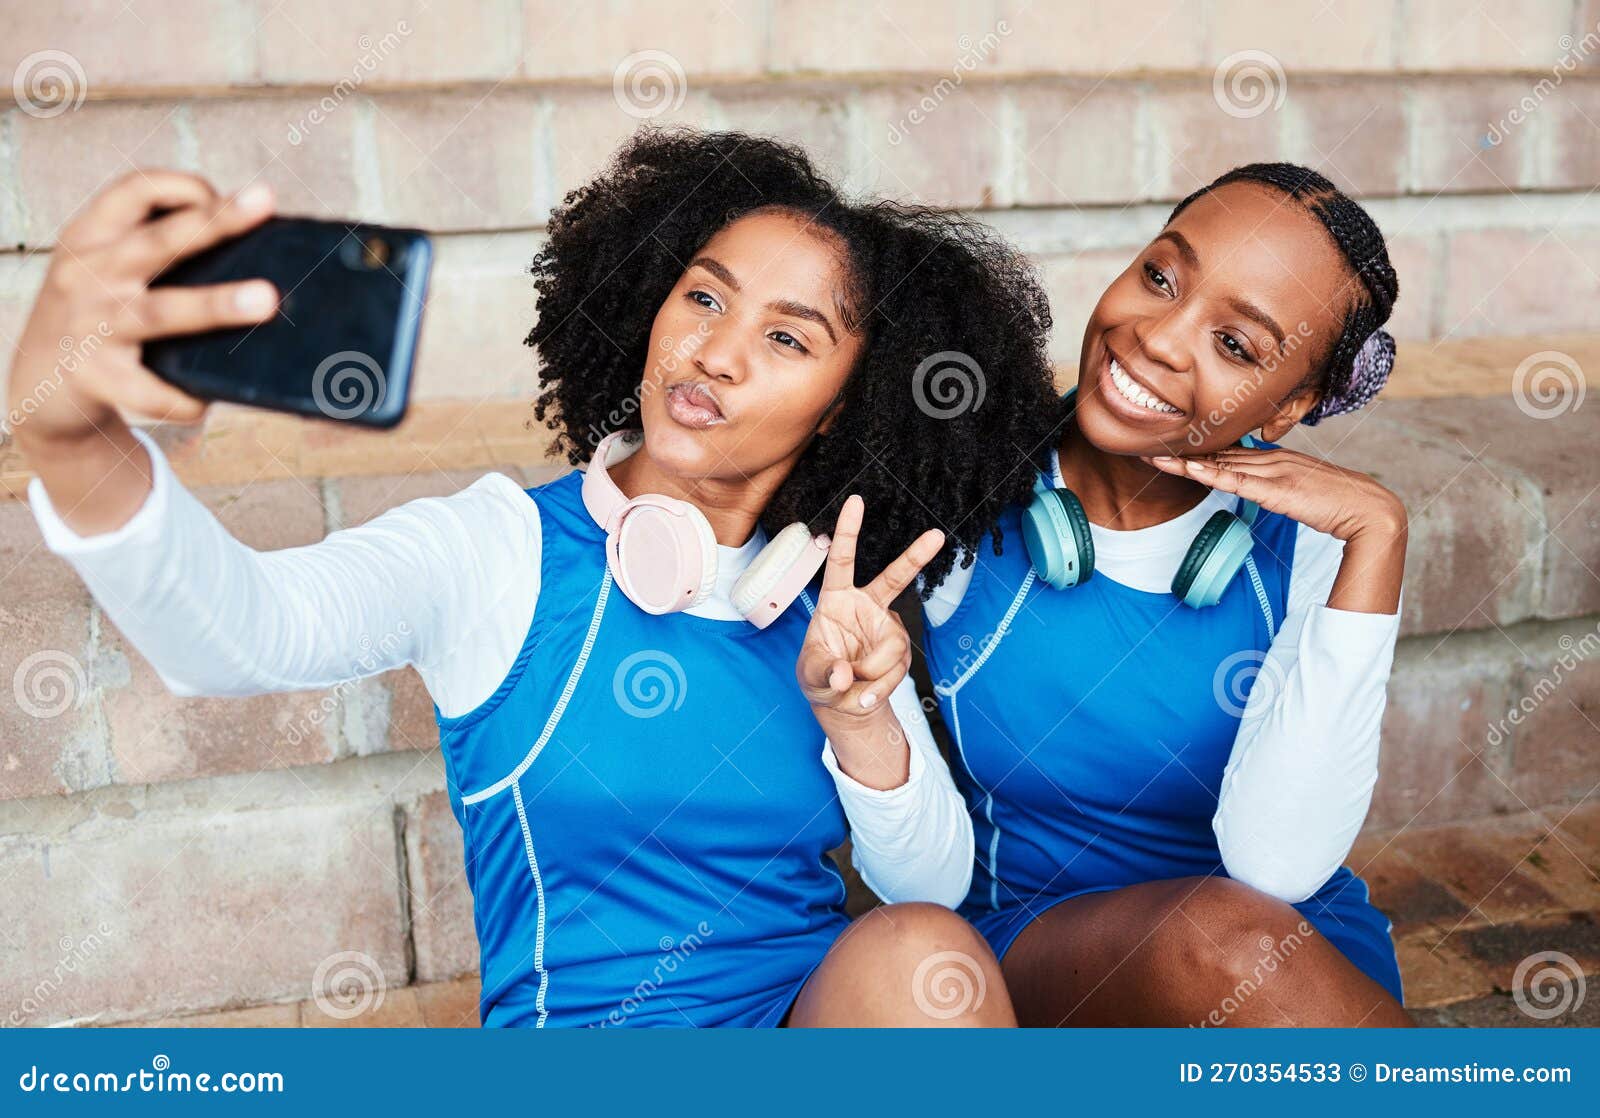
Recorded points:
1166,687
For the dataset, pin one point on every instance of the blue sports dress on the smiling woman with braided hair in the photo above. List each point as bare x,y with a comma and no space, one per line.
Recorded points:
1090,741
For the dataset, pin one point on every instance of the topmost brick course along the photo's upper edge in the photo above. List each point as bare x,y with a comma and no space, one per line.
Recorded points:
238,44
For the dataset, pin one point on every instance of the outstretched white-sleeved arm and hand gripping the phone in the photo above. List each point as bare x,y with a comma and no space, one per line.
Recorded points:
441,583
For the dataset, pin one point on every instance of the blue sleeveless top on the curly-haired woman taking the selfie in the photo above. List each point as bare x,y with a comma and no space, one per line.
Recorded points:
646,810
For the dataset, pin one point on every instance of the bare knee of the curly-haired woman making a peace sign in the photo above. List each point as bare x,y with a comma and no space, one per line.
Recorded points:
905,965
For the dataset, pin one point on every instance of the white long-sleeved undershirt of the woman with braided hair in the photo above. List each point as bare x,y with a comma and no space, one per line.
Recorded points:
1300,778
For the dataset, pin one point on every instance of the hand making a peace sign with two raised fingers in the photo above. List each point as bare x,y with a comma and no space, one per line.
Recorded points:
857,650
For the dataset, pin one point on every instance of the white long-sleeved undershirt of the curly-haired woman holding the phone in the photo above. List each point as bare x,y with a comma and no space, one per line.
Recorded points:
450,588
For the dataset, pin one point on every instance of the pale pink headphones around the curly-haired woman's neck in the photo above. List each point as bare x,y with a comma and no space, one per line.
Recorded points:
663,553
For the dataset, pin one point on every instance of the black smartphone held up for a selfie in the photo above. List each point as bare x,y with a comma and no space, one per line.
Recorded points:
345,338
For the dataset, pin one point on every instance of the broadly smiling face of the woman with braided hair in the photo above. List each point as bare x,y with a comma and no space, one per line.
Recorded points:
1214,329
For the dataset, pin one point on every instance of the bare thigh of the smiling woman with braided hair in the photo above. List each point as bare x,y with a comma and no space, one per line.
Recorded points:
1186,952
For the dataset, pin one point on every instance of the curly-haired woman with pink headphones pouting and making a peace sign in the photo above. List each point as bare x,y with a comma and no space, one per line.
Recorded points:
662,689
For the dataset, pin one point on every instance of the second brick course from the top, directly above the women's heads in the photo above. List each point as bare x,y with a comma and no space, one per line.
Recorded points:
502,154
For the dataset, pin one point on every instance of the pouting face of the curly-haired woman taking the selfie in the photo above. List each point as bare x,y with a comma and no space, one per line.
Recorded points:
748,351
